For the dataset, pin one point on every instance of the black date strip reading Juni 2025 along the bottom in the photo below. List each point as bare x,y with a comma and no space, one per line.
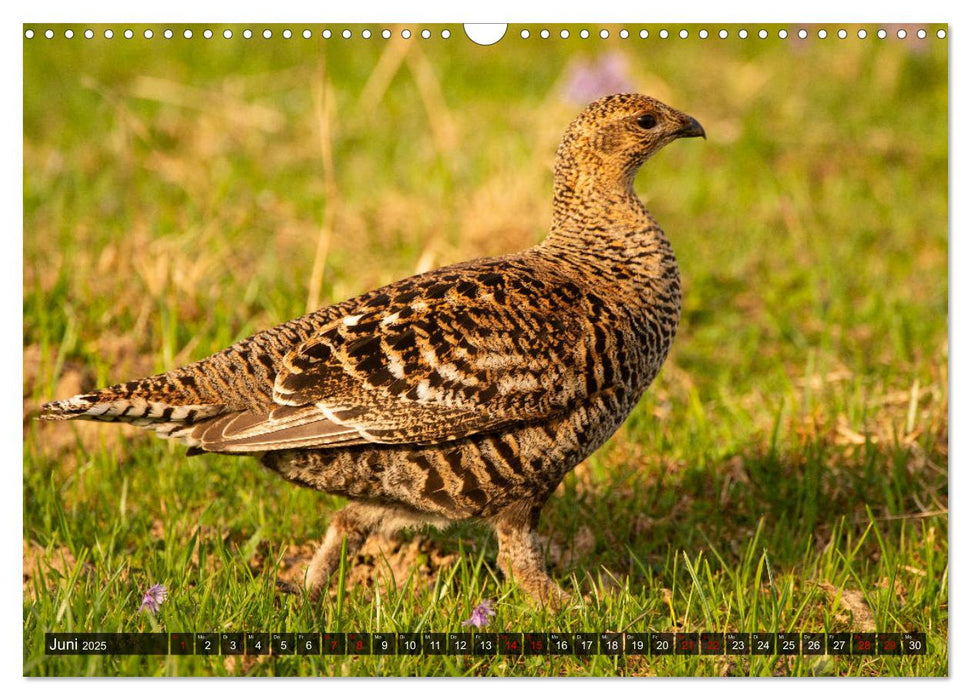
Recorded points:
579,644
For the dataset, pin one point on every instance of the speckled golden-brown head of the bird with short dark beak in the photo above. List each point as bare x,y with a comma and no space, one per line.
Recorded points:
613,137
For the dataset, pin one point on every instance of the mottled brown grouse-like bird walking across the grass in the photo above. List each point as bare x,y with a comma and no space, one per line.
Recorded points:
464,393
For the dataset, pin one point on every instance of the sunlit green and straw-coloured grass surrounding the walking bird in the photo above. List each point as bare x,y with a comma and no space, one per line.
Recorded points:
786,472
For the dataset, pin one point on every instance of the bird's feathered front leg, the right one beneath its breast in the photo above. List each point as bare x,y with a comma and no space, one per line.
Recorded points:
521,556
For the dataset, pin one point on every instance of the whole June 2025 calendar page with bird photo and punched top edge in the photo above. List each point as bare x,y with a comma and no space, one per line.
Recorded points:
543,349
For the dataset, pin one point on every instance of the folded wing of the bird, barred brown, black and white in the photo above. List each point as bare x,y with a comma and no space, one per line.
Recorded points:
428,360
